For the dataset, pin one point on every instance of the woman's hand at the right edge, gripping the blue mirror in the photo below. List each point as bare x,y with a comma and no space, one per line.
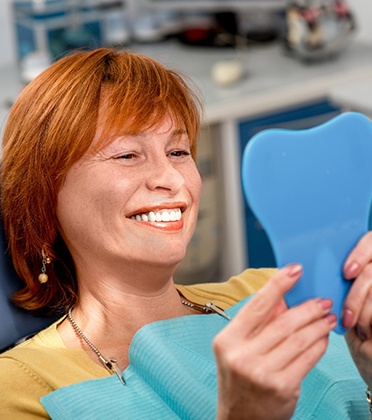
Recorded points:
358,306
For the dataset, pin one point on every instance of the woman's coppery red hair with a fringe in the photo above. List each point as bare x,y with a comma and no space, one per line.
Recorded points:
50,127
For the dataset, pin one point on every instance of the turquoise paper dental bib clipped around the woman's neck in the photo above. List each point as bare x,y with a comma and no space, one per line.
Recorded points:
172,375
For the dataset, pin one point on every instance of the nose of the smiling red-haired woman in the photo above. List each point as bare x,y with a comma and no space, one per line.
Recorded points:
163,175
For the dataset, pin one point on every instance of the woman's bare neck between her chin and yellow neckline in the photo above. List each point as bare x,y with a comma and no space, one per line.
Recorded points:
110,313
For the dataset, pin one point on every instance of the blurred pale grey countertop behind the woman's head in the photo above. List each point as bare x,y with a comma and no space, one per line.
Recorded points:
272,80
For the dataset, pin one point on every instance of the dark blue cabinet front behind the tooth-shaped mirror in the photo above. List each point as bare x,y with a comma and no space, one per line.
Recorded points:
259,250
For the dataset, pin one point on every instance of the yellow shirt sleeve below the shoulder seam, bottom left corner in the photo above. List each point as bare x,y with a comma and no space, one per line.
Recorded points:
20,391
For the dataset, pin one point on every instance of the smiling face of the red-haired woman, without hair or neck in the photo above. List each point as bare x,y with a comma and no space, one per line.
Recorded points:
135,201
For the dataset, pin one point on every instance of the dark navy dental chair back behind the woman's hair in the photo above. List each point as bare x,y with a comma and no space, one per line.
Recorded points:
15,324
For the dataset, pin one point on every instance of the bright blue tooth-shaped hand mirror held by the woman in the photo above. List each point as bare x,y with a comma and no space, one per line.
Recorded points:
311,190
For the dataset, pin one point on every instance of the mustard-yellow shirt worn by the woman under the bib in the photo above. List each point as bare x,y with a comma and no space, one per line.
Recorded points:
43,364
